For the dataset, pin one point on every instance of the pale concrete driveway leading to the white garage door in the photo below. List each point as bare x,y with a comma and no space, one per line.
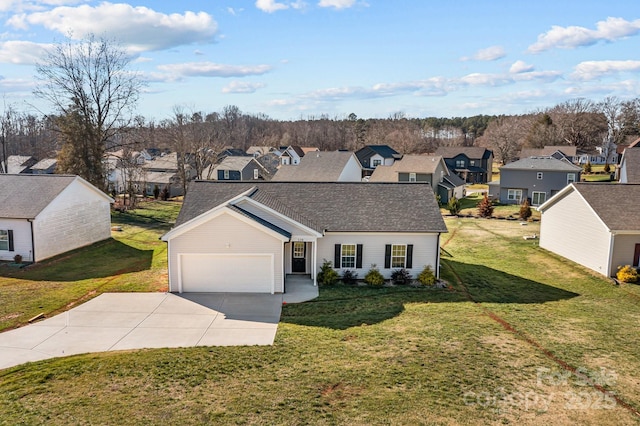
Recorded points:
118,321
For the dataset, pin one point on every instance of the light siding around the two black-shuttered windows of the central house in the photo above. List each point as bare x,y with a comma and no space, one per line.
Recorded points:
425,250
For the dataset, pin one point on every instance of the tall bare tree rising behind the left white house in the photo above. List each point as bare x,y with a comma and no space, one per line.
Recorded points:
89,84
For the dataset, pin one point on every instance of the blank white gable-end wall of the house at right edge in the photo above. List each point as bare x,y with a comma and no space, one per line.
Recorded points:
571,229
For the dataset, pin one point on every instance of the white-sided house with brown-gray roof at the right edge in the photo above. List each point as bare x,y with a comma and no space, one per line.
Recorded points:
594,224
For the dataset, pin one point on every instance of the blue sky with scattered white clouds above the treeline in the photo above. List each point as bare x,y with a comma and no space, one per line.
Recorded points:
294,59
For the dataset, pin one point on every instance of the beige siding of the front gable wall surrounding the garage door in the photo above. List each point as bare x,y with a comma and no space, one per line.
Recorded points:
213,237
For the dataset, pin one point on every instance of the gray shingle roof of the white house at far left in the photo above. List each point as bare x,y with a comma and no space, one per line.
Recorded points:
25,196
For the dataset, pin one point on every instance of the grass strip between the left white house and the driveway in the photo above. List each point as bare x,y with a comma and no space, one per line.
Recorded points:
134,259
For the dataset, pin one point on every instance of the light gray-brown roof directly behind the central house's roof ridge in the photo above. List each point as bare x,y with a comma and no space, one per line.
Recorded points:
315,167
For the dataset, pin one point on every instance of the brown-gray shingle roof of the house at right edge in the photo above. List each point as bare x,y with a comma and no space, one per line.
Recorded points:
615,203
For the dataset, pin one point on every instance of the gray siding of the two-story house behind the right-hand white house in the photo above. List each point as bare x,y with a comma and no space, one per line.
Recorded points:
550,184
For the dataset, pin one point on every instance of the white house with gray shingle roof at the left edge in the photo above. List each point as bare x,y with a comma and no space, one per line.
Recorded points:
45,215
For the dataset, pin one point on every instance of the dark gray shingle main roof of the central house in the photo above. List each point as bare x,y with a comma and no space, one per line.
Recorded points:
330,206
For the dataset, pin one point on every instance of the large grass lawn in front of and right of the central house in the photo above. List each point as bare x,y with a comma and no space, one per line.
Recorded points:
493,348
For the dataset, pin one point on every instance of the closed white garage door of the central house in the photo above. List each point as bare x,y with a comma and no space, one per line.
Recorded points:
246,273
